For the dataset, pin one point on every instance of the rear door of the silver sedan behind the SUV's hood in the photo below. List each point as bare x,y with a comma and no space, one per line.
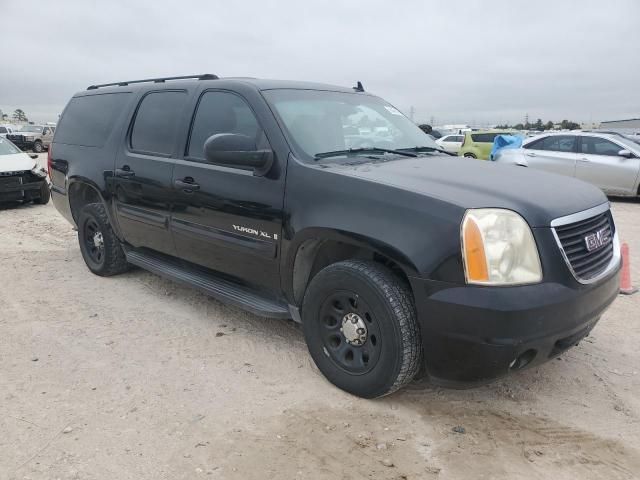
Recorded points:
555,153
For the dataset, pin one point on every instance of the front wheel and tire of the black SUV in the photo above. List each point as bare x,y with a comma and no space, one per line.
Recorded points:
390,351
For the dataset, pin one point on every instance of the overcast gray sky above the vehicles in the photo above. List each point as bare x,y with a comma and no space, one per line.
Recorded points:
464,61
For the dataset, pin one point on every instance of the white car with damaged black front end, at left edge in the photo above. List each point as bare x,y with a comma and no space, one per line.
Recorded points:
21,179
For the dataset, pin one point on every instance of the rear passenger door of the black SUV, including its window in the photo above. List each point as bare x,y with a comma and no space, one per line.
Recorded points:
143,175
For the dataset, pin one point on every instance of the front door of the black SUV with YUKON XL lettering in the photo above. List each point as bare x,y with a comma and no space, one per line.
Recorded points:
227,219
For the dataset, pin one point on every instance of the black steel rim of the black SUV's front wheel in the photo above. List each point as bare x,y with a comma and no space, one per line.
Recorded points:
353,359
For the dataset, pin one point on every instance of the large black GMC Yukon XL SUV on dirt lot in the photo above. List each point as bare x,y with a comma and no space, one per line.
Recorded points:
327,205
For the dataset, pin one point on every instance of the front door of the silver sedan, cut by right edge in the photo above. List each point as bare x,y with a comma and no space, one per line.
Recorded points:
600,164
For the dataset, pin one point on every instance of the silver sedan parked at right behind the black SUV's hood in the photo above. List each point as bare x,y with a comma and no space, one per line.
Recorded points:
609,161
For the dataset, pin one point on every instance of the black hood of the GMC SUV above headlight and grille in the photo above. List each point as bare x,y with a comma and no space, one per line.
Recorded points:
468,183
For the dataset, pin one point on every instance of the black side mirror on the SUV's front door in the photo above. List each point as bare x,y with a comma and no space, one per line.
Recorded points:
239,151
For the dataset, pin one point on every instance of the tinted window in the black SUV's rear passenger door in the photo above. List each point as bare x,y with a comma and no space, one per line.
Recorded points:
156,124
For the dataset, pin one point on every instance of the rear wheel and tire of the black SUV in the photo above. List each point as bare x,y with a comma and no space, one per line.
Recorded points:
100,248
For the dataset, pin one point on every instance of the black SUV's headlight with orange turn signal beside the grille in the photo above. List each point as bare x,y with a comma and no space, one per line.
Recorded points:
498,248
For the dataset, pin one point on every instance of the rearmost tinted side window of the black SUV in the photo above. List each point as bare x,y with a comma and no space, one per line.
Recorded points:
88,121
